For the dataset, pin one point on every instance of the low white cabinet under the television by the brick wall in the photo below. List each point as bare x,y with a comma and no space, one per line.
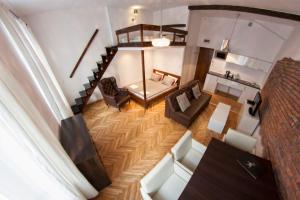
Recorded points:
246,122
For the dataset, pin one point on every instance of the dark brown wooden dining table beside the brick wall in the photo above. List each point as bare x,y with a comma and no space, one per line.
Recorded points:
219,176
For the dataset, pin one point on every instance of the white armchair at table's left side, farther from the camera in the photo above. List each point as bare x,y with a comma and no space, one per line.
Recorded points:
188,152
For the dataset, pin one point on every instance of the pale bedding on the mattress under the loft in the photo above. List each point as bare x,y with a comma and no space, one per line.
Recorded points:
153,89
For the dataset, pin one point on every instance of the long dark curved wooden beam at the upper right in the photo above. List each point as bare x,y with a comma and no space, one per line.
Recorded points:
259,11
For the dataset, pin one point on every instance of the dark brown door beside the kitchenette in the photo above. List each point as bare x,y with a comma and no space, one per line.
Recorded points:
204,60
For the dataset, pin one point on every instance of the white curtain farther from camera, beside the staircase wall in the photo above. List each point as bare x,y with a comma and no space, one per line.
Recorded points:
35,62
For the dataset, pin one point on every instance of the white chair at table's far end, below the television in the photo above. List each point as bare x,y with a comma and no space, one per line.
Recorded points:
240,140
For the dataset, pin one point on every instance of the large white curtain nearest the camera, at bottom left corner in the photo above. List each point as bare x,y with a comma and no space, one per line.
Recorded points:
33,164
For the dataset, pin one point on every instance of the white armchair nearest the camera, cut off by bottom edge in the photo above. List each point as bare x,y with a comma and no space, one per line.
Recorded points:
165,181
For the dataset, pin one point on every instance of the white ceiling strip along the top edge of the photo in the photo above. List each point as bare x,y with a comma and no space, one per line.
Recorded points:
30,7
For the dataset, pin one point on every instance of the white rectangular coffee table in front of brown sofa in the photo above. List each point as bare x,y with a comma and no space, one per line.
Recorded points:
219,118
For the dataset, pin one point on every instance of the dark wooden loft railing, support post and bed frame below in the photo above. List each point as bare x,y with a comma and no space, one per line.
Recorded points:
178,39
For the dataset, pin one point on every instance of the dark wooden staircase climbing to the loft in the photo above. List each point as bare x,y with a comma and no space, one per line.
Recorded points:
98,72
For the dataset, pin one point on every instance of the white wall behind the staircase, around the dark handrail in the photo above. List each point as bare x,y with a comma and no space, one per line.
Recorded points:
63,35
